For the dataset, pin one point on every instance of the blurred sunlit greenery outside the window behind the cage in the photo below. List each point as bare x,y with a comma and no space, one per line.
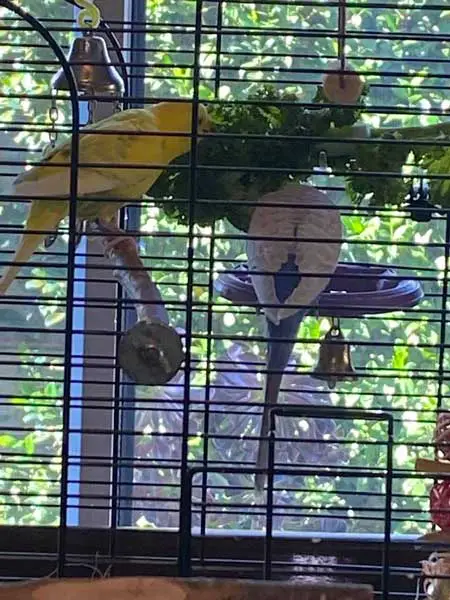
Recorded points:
401,375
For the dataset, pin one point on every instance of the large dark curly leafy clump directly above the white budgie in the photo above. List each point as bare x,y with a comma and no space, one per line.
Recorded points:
233,169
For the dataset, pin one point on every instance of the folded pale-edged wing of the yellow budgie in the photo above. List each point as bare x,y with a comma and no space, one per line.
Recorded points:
121,148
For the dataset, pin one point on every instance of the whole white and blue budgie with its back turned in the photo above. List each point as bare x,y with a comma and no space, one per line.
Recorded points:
289,274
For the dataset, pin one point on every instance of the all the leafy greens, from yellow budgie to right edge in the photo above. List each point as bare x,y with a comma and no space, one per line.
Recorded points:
270,139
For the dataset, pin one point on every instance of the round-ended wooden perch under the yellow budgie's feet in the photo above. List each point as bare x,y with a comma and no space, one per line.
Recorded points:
151,351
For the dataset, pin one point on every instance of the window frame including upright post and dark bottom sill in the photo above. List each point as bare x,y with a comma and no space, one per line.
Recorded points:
96,531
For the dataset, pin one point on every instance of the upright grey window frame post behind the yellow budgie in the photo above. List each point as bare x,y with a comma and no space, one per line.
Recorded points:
97,482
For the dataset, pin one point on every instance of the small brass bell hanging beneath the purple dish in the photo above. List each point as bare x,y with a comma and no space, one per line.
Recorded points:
335,362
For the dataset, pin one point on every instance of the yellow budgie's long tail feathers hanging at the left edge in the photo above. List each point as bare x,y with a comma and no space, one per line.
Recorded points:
37,221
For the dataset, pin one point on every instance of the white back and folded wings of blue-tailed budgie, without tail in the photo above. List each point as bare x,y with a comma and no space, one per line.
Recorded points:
298,270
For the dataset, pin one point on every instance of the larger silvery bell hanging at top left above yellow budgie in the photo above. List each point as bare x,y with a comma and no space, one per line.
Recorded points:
92,69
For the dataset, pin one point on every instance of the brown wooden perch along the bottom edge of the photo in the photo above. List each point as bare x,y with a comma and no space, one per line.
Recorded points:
165,588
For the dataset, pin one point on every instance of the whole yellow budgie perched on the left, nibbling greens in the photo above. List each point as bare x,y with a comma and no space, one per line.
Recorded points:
124,147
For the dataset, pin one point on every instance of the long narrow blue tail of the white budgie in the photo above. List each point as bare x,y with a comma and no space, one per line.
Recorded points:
279,349
